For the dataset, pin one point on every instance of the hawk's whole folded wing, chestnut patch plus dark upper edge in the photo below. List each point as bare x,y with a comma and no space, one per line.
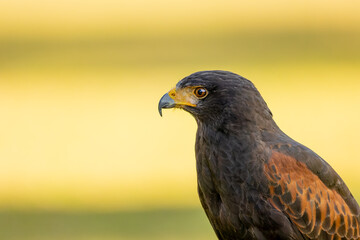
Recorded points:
310,192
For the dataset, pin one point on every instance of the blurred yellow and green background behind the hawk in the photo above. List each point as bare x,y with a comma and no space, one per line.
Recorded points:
84,153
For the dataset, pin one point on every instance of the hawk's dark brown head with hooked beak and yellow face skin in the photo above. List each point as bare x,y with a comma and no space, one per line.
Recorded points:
217,98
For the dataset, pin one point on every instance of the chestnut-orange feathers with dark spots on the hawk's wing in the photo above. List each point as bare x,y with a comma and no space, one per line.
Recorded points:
317,211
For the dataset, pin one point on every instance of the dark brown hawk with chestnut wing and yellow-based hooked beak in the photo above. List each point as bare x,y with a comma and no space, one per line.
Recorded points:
253,180
